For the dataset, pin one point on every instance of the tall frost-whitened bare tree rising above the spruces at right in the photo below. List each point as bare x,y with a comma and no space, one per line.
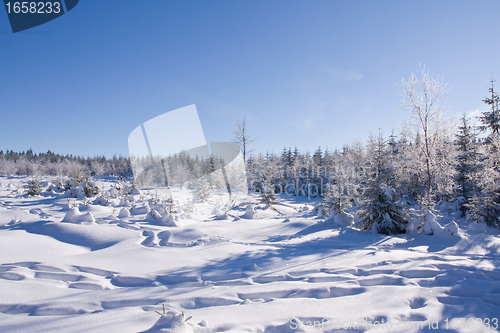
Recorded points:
420,96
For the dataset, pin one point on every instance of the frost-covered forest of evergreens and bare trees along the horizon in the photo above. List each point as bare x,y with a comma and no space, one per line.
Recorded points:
429,161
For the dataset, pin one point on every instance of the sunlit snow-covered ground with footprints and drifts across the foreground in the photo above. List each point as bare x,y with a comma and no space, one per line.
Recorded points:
75,265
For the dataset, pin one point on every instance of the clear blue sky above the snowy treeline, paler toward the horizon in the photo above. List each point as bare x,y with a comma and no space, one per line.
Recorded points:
305,73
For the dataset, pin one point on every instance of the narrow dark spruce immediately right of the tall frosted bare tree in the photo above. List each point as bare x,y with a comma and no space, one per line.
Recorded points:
468,164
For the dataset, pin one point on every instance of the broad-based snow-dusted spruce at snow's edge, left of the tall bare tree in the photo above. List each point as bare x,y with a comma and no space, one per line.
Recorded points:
380,210
